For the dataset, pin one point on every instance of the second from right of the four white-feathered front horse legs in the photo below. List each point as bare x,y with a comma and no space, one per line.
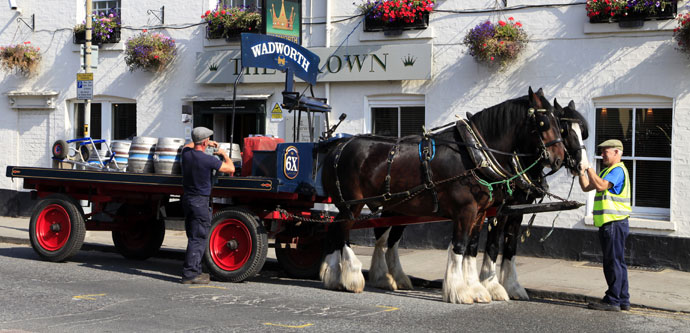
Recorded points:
488,275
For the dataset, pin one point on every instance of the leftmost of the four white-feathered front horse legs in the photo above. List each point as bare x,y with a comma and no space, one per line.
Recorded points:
455,288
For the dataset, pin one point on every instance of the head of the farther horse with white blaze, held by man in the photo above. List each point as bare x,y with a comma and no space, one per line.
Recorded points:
574,130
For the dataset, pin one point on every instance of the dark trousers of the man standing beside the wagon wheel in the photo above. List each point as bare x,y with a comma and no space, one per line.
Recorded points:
197,223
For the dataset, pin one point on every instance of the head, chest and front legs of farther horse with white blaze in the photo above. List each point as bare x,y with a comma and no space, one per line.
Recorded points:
574,129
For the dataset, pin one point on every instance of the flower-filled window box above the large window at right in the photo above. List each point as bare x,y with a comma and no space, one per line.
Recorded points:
629,13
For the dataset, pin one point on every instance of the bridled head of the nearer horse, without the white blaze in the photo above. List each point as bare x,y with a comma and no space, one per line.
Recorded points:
545,123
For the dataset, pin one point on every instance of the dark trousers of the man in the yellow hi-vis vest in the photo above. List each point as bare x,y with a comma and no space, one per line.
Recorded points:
612,237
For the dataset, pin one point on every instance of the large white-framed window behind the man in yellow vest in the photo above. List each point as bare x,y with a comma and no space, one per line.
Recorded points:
644,125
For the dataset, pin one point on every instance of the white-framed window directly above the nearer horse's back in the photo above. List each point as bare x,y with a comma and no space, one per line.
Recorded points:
397,116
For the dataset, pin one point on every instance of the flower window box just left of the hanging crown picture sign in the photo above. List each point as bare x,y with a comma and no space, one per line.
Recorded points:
229,23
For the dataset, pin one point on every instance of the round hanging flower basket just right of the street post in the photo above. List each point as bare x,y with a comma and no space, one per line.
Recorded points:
149,52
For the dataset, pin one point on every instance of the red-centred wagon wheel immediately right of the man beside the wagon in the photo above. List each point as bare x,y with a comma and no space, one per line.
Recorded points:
237,245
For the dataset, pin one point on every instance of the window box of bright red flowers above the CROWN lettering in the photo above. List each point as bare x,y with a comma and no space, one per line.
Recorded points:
391,15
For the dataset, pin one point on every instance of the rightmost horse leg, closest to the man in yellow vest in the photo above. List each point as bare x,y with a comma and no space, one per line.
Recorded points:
508,267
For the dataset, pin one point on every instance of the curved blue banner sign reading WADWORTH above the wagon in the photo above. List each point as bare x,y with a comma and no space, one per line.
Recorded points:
277,53
